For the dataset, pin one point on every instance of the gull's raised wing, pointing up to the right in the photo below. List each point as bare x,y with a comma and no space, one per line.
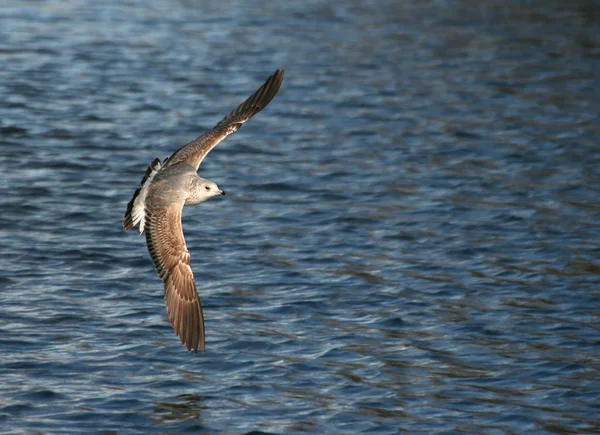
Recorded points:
195,151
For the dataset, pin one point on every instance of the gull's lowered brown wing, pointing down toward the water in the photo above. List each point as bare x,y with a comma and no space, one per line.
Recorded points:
164,237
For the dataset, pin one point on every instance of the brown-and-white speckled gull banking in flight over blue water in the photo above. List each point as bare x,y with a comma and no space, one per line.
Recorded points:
157,205
